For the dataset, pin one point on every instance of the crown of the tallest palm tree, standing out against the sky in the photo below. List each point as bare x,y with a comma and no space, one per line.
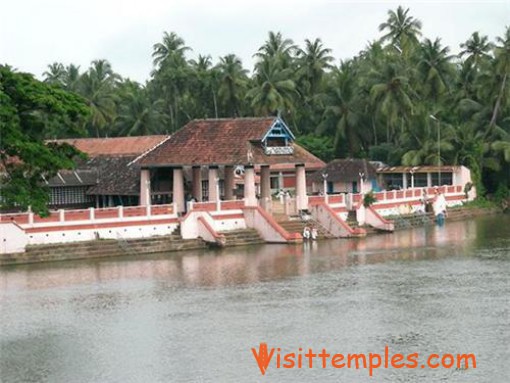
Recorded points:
402,30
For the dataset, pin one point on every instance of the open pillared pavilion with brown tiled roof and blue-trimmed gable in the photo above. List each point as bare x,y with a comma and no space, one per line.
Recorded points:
208,160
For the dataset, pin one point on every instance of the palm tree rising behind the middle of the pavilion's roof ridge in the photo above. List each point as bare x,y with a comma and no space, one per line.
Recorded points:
232,86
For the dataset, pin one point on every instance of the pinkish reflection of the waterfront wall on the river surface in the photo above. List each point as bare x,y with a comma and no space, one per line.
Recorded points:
249,264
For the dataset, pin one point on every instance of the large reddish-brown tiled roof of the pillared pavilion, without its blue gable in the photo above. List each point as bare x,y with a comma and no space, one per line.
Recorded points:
222,142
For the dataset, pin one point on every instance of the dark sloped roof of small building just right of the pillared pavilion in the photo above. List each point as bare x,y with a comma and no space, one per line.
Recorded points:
345,170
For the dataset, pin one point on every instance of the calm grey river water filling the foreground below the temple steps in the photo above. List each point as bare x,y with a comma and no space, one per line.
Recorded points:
195,316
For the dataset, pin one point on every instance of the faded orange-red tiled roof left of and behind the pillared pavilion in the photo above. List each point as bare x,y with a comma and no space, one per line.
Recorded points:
115,146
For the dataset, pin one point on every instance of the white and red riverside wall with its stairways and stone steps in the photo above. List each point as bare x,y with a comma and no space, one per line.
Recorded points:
97,233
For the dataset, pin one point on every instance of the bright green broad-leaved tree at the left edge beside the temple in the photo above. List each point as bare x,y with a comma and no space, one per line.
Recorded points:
27,109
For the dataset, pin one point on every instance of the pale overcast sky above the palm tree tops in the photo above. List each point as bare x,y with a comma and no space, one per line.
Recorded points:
35,33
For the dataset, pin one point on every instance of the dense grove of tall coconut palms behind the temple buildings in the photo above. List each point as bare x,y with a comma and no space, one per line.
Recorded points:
376,105
